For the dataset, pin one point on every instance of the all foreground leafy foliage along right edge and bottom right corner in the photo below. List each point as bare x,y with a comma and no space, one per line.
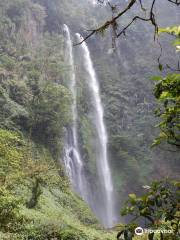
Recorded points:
160,205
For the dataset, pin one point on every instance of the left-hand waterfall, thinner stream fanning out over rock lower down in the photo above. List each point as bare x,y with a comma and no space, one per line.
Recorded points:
72,158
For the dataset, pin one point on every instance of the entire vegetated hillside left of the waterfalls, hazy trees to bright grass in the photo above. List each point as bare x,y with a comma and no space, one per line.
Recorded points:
36,201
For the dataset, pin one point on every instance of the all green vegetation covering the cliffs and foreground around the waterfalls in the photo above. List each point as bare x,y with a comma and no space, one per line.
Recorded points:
36,201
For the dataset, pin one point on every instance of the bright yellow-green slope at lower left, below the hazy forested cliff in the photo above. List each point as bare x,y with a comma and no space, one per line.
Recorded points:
36,201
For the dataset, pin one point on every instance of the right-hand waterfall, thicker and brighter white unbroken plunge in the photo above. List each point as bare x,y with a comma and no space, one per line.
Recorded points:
107,214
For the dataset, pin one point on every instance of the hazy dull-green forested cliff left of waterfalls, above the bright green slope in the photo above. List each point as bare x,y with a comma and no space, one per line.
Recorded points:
31,99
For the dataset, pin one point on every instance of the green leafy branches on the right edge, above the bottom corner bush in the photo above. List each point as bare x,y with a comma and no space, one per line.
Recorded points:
167,92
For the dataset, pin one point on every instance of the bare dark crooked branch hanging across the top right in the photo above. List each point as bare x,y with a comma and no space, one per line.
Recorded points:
146,13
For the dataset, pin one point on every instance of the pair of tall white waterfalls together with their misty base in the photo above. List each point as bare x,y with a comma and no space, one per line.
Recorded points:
103,204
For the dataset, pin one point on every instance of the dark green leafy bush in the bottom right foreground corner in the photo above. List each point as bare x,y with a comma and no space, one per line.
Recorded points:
159,209
